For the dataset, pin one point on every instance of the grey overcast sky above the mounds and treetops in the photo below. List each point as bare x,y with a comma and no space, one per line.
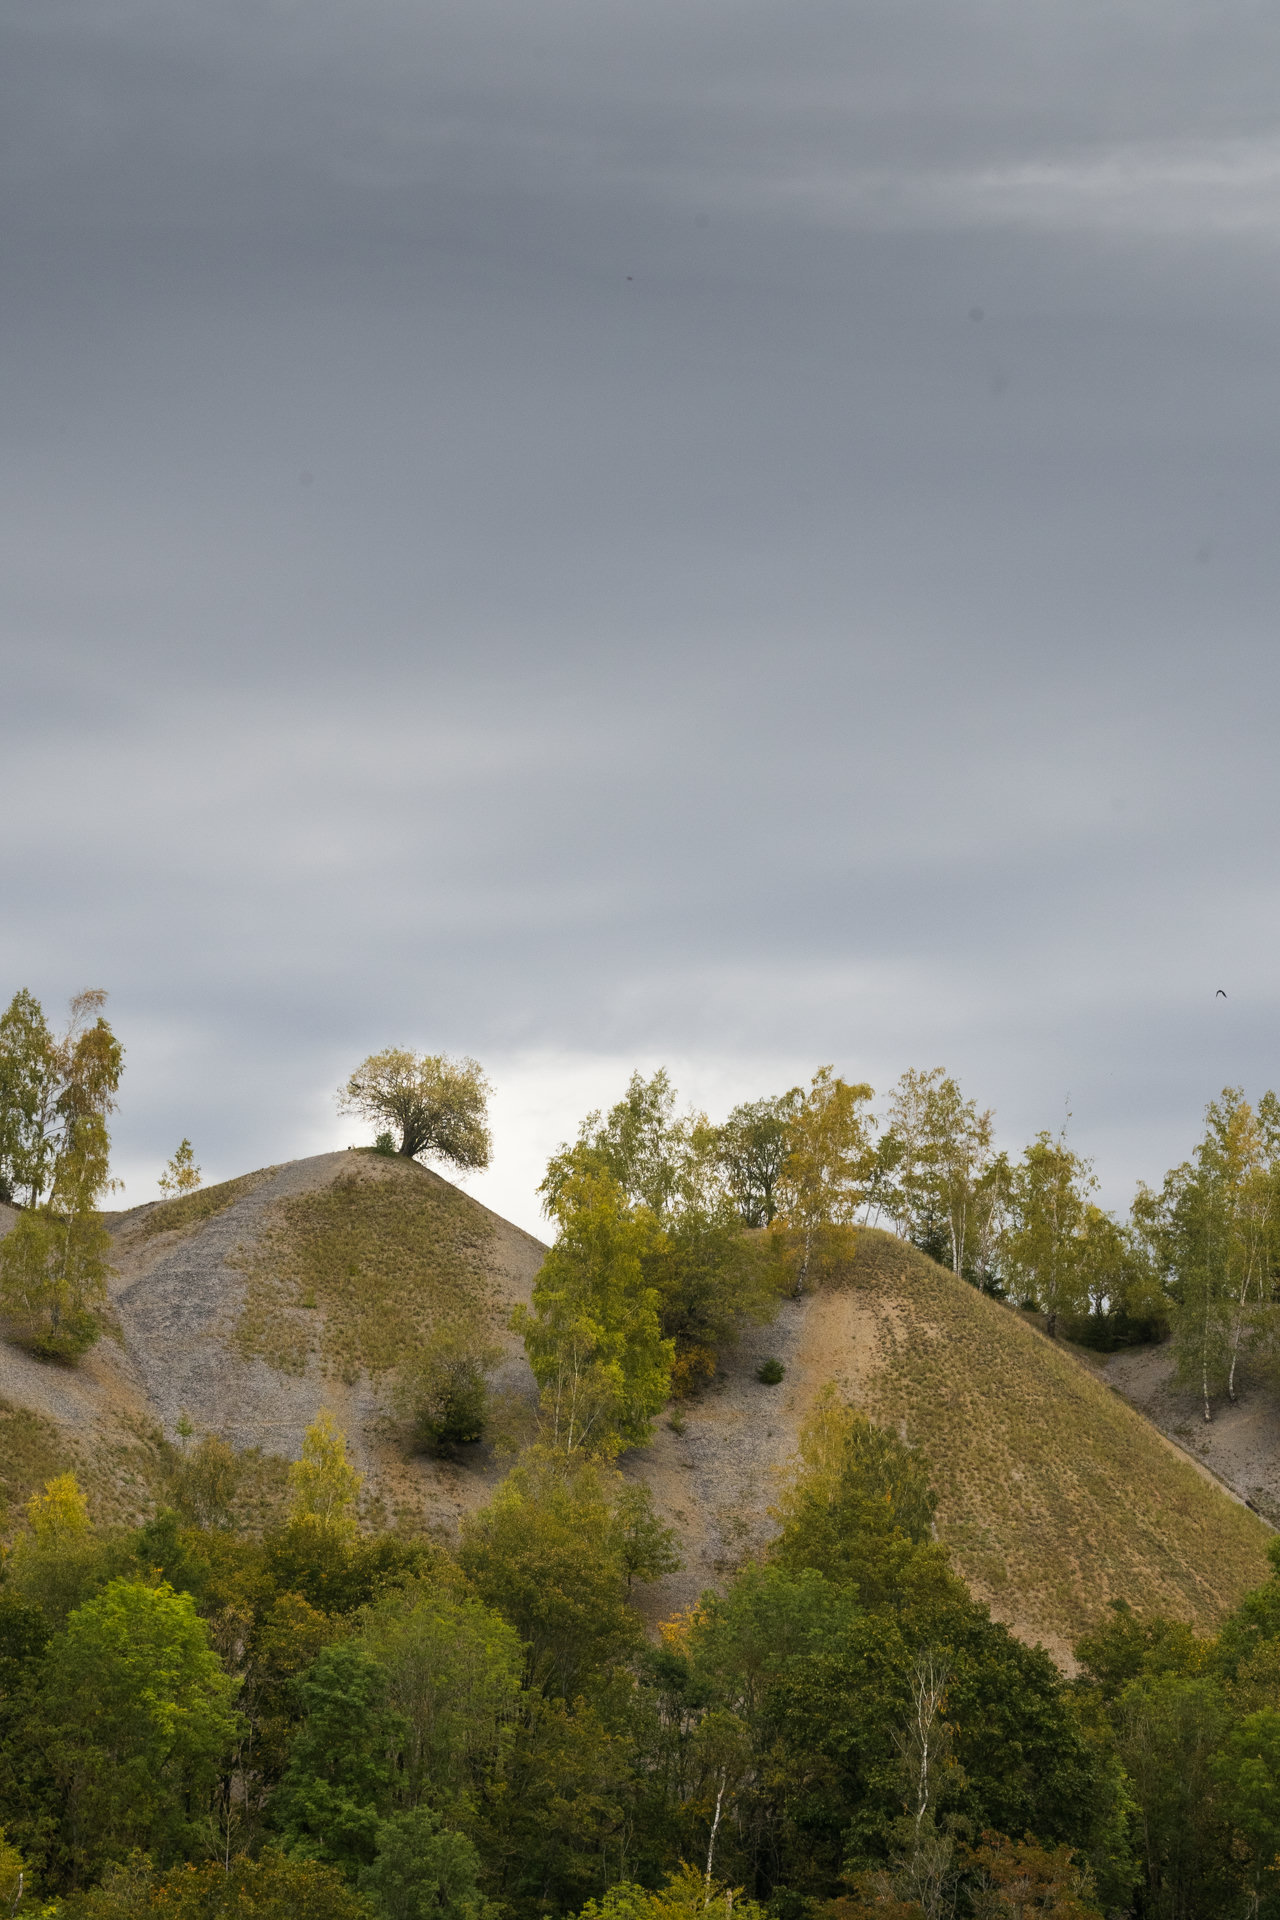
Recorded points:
607,533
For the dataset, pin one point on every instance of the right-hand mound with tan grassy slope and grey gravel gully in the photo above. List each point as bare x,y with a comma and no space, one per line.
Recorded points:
1055,1495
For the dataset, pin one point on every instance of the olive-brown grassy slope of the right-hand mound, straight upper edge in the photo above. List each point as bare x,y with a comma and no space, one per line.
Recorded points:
1053,1493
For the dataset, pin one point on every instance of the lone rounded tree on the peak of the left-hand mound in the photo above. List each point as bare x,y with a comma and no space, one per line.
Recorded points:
439,1105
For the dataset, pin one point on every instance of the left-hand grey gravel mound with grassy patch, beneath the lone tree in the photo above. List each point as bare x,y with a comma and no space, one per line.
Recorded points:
243,1310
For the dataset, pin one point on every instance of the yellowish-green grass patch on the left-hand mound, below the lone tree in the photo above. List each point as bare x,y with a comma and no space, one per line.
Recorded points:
362,1272
